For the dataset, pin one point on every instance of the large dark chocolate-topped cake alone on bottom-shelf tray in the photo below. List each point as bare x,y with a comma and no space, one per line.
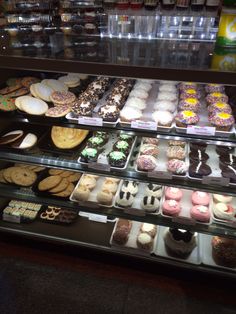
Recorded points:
179,242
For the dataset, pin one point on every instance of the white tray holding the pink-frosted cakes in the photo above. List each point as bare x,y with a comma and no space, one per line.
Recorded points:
186,204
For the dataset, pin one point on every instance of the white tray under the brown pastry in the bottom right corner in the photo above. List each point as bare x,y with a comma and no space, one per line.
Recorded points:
206,253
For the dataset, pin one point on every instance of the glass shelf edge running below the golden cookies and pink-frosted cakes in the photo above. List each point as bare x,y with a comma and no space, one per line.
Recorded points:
23,194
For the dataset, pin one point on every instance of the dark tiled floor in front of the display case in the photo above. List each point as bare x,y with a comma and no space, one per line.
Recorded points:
31,287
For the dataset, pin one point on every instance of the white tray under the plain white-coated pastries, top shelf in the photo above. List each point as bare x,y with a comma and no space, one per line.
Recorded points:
148,111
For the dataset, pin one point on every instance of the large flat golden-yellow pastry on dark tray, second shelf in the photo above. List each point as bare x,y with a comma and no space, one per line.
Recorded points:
67,138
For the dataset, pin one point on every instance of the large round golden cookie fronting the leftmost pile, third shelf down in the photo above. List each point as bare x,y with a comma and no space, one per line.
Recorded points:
23,176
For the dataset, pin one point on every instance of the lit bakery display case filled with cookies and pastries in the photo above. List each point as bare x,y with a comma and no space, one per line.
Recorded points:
120,145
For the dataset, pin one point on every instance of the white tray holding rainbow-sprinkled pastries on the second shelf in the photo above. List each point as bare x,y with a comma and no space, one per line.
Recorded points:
162,161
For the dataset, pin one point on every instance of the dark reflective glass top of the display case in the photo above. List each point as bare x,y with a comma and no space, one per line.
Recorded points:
151,59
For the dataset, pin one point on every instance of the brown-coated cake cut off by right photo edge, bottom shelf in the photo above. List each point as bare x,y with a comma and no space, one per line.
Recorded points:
224,251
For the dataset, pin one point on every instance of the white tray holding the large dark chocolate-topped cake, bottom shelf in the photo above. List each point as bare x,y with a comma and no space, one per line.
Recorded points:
160,249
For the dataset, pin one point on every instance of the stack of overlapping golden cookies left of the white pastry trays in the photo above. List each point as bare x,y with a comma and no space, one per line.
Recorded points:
59,182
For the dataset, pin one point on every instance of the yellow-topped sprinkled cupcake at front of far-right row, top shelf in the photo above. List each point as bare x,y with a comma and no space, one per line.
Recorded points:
222,121
